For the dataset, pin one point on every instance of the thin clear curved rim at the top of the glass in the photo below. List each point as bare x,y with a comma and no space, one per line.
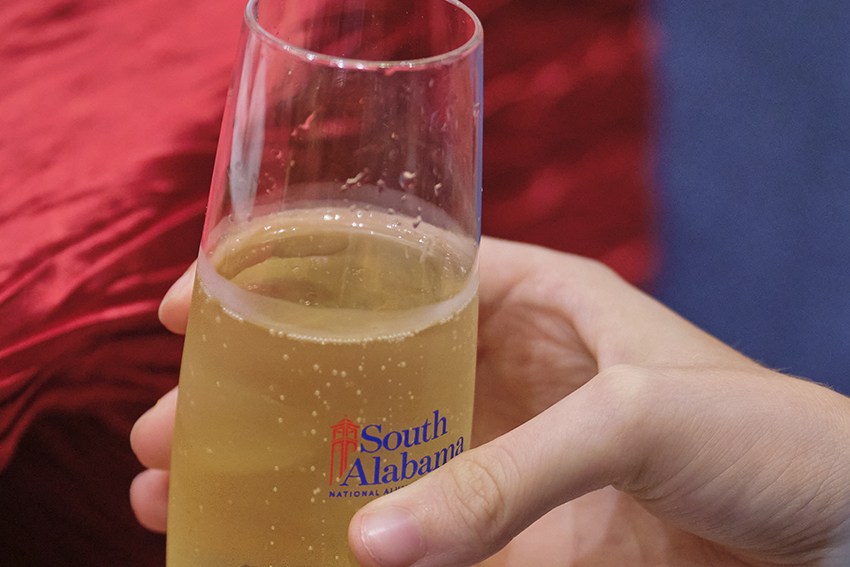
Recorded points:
448,57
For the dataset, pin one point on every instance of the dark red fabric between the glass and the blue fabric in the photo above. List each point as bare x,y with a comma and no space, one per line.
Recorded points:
567,116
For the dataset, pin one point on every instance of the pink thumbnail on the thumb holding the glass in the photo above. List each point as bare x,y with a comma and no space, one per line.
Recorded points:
392,537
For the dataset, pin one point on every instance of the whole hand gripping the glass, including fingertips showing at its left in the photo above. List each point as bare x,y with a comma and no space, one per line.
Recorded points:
609,431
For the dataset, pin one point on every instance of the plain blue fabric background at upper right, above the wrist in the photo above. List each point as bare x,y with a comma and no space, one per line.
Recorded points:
754,177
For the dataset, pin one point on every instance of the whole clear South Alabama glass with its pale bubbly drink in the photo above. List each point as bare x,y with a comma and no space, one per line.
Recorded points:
330,354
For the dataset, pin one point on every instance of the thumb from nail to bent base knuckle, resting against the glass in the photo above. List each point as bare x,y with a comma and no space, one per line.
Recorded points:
475,504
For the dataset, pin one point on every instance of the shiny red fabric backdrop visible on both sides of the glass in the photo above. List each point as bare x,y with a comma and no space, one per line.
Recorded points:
109,113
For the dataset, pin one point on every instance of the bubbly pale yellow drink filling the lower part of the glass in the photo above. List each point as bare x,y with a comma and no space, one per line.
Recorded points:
301,325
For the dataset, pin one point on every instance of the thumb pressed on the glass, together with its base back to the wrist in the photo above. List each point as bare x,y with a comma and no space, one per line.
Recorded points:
728,456
